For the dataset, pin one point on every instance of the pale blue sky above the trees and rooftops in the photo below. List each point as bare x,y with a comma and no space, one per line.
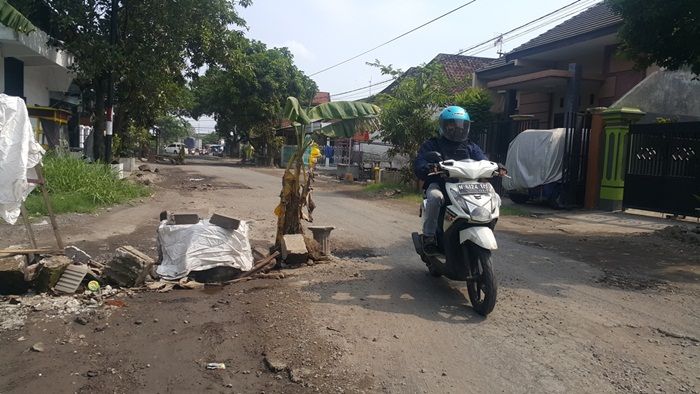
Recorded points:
321,33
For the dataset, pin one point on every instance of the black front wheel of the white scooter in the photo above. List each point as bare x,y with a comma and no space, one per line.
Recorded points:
482,287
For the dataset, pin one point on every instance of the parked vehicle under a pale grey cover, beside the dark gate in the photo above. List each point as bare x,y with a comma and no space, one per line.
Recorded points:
535,162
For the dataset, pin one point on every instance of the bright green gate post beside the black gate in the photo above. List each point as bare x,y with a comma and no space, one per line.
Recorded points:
617,127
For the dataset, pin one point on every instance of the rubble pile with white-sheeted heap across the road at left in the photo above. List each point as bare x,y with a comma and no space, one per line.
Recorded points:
192,252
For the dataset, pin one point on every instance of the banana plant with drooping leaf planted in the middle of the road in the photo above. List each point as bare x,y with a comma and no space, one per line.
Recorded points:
341,119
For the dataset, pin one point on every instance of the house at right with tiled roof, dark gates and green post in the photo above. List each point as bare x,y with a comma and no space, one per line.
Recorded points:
573,76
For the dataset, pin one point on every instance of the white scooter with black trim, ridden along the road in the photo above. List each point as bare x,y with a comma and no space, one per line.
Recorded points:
465,237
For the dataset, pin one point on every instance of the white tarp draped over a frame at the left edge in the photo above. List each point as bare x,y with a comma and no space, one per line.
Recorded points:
19,153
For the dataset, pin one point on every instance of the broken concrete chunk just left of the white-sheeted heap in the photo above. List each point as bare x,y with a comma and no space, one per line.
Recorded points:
128,268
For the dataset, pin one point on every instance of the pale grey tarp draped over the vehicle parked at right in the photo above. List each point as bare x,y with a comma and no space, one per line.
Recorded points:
535,157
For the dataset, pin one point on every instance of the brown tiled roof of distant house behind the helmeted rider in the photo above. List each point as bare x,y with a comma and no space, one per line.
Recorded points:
458,69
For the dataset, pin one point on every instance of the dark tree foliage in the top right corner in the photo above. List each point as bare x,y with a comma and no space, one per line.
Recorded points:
661,32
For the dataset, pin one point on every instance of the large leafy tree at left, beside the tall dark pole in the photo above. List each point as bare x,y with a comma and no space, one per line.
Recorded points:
162,44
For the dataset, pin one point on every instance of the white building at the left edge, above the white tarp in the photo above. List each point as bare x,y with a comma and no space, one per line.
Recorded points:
40,74
